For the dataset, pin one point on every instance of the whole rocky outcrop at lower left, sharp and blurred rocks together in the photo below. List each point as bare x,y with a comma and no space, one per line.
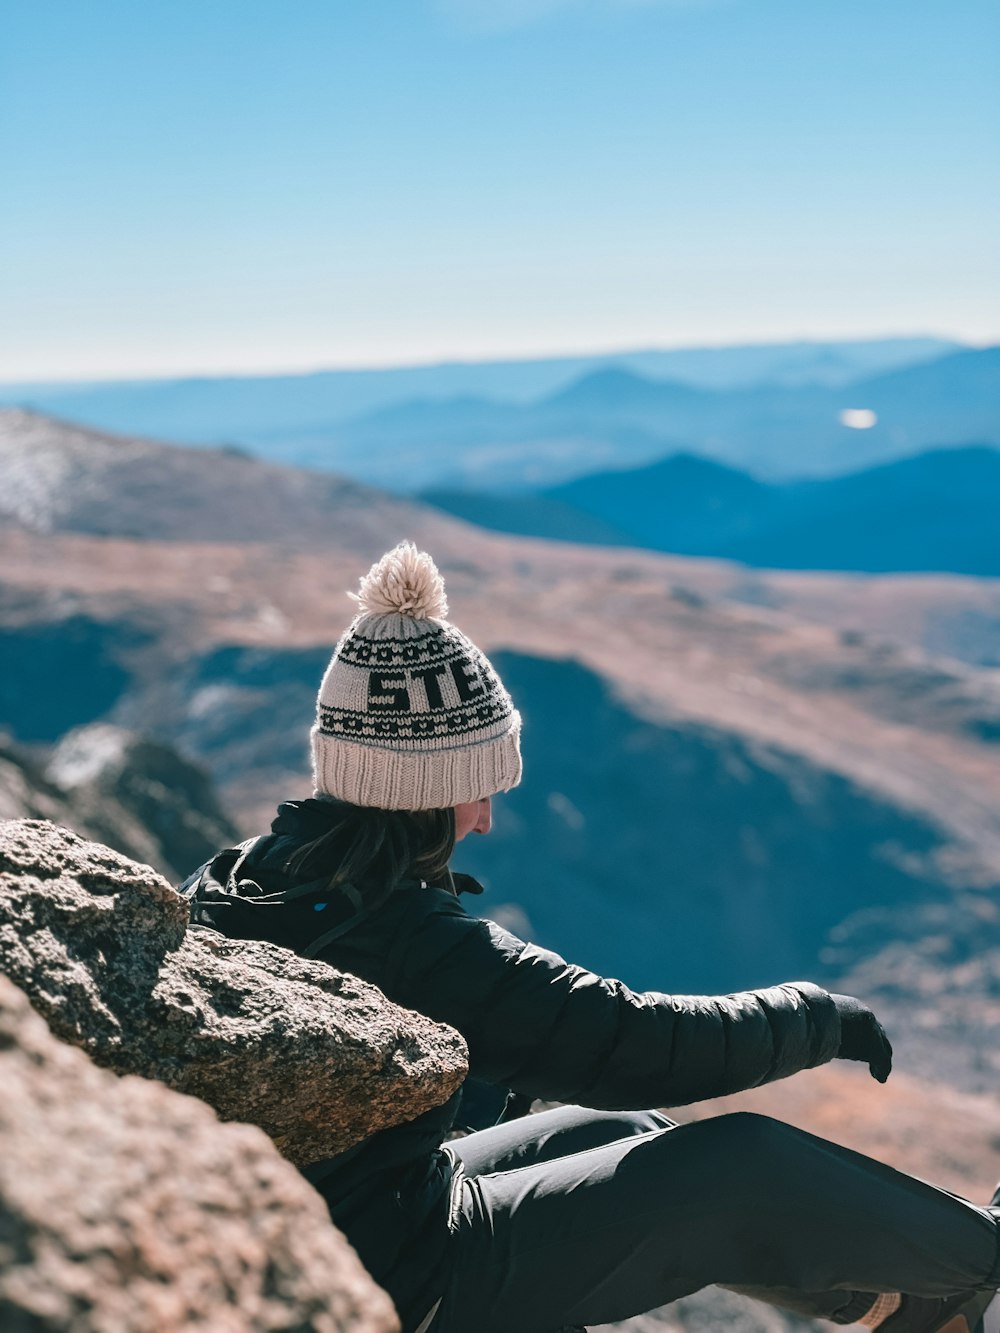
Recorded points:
127,1207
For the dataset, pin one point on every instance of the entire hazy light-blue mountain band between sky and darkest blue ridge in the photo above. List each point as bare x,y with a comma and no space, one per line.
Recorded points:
783,413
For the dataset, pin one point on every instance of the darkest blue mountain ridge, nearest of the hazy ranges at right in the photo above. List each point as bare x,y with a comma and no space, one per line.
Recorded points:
931,513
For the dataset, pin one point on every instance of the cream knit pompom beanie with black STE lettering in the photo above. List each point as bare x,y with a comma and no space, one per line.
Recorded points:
411,715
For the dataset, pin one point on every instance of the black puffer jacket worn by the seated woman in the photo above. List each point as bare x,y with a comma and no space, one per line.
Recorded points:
534,1024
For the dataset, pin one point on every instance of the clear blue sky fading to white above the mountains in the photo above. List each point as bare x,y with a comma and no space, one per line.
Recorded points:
197,186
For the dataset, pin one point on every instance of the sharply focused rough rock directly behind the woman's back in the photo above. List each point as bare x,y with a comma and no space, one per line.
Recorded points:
313,1056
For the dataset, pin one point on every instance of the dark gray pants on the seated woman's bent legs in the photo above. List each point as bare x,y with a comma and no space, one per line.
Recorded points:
586,1218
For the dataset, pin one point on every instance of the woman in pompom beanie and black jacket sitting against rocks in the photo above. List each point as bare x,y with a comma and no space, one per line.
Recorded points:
601,1208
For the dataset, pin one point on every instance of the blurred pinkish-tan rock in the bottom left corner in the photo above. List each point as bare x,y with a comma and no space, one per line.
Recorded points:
127,1208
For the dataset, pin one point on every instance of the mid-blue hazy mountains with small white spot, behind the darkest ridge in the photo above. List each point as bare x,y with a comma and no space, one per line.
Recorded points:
615,418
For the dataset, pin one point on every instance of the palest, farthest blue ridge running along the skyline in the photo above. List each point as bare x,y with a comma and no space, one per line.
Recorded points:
263,411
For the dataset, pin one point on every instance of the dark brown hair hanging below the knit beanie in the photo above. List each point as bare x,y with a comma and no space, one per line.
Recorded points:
374,851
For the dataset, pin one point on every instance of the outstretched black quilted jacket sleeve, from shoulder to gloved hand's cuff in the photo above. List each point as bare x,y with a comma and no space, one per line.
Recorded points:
547,1028
